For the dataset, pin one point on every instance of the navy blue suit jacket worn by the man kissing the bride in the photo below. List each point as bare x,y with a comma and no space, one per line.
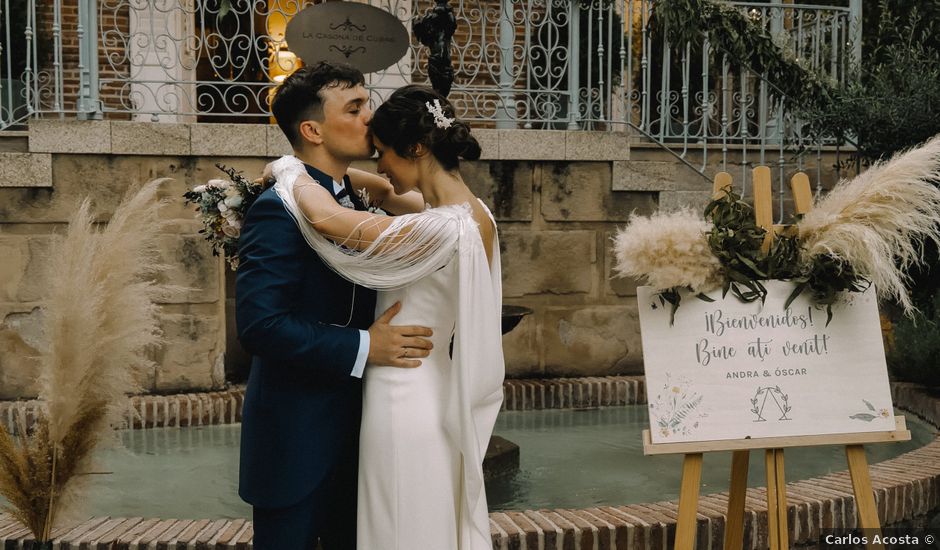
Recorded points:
302,407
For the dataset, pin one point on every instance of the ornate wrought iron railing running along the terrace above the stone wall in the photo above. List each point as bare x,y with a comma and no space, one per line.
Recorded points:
549,64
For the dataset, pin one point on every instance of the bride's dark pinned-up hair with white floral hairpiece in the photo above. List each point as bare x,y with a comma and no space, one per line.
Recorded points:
404,121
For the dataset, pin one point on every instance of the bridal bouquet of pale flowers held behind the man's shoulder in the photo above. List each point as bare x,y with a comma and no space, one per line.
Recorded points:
221,204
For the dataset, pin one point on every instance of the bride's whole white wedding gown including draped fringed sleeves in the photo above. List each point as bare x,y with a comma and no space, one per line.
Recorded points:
425,430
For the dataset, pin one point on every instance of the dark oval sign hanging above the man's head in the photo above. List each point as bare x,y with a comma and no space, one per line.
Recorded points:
366,37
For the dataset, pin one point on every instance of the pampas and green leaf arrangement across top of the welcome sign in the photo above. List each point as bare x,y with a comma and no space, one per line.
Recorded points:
868,230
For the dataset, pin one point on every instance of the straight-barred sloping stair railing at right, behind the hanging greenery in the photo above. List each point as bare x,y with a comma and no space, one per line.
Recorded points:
687,98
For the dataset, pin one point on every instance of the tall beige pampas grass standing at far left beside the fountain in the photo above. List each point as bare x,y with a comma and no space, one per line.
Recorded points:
101,322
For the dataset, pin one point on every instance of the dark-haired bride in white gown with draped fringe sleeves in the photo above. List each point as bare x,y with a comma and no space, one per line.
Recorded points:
424,430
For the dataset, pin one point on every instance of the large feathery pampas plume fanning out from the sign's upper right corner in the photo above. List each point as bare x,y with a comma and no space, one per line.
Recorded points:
878,221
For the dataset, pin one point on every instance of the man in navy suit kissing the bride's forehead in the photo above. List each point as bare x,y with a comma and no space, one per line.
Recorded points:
311,332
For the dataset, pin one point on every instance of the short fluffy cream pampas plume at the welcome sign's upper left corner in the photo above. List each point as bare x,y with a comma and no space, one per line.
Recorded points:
667,250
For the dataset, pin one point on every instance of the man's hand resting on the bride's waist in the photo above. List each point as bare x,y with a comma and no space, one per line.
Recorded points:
397,346
